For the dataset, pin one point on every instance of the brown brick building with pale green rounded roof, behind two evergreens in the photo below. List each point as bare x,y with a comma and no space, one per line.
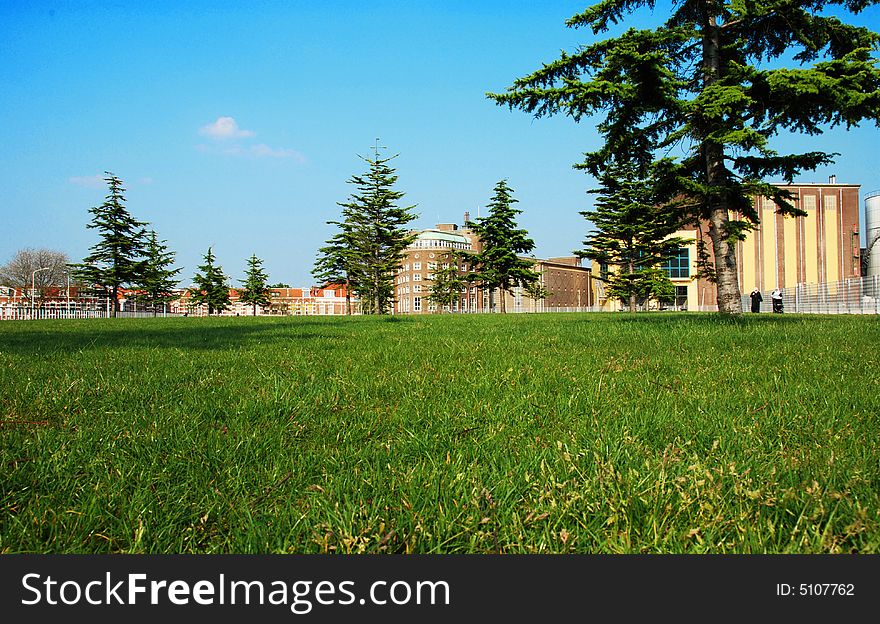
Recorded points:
569,283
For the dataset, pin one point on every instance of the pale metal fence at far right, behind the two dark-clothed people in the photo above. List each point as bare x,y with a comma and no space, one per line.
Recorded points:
858,295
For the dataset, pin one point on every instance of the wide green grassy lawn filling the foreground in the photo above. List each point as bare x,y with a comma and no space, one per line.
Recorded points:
590,433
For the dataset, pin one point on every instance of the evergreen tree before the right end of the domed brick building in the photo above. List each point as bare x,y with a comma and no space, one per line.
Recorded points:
498,265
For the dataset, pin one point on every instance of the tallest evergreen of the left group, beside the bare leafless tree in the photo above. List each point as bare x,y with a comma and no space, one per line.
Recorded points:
117,260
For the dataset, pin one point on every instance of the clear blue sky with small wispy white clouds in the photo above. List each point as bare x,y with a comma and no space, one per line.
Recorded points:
236,125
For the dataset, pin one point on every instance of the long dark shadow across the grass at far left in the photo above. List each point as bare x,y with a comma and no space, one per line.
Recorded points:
34,337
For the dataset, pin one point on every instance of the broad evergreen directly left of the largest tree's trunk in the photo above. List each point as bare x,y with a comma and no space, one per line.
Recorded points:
633,236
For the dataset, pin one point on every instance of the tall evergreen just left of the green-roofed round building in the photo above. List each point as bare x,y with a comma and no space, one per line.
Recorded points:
375,235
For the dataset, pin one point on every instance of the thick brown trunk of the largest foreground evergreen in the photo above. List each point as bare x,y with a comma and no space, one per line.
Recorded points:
727,285
